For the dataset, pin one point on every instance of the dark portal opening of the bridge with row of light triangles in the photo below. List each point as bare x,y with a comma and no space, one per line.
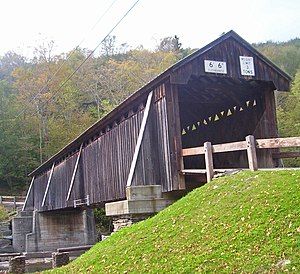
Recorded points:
221,110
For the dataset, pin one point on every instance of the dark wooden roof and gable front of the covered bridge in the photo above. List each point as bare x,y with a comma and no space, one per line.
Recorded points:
179,73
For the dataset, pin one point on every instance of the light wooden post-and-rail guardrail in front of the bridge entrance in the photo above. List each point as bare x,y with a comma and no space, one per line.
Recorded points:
250,144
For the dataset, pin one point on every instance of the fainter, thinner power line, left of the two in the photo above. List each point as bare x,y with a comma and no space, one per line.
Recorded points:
65,61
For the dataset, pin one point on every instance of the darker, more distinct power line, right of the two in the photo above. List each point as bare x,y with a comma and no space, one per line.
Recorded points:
90,54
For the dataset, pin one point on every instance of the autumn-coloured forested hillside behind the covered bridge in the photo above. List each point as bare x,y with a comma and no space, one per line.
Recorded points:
40,112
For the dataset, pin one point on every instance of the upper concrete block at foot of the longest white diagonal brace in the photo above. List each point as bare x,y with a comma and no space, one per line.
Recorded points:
144,192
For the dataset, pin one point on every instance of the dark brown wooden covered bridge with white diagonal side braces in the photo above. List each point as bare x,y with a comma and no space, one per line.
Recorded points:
221,93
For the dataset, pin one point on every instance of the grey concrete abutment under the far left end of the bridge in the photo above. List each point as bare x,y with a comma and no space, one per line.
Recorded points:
48,231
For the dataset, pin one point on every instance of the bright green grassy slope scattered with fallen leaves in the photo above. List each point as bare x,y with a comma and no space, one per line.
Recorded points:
245,223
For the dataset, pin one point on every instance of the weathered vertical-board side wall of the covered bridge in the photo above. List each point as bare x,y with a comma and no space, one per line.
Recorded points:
105,162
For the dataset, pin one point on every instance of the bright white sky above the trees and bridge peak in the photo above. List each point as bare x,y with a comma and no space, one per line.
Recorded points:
25,23
